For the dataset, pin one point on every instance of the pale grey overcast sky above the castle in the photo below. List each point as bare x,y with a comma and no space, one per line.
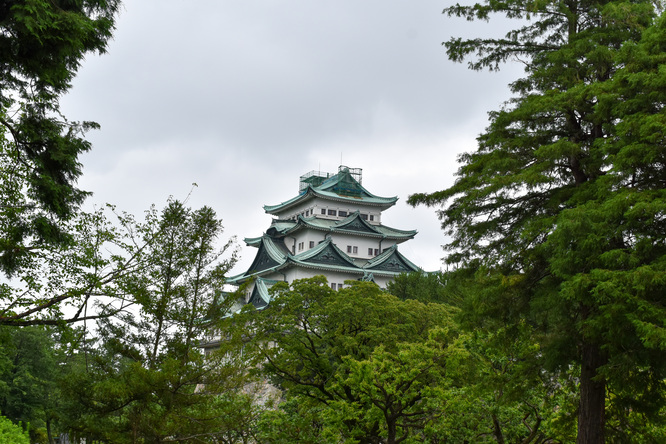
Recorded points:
242,97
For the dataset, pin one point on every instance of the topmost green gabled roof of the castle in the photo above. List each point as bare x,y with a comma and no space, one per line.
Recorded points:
341,187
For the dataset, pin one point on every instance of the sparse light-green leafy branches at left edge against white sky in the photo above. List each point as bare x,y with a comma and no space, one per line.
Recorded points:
59,284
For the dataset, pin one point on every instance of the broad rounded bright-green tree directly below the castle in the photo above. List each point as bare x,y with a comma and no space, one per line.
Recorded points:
360,362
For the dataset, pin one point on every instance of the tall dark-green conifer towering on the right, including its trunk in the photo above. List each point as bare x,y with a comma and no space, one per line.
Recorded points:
558,208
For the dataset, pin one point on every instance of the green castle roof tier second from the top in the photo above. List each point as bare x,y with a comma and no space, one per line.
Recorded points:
353,224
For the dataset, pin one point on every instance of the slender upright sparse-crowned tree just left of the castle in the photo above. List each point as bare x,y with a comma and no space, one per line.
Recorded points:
145,377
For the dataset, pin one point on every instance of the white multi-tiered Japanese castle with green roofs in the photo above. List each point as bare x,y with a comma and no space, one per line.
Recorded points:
333,227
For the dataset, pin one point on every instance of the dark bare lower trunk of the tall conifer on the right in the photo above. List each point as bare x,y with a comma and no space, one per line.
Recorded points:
591,409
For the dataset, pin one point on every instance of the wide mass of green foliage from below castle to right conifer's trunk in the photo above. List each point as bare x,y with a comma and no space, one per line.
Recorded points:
359,365
